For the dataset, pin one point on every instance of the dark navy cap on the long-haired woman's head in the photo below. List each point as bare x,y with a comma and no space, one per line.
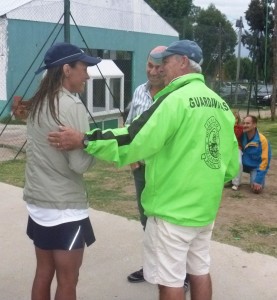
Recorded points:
64,53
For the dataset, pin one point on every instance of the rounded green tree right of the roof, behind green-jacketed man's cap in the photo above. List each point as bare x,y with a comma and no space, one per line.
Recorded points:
217,38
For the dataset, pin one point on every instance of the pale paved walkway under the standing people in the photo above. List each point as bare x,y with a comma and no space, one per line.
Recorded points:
236,275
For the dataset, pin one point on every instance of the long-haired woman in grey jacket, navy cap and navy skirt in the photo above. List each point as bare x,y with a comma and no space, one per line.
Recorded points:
56,198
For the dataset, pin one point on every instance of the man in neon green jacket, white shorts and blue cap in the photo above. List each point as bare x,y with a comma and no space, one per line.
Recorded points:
187,141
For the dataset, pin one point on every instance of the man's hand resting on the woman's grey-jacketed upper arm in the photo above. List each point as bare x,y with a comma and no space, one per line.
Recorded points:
66,139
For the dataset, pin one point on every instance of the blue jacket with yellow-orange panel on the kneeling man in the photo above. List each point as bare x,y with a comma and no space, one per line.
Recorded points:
256,155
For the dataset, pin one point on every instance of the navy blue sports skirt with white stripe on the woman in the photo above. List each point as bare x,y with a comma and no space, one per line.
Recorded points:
66,236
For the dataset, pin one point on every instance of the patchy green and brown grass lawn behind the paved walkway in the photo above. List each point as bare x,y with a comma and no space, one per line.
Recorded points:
112,190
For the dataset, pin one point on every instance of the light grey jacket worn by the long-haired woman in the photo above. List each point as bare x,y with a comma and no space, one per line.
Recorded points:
54,179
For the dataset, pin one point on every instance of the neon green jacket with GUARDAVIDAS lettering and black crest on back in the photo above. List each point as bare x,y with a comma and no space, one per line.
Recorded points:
187,141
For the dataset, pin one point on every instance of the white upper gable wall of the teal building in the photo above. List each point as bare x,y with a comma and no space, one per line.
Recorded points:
129,15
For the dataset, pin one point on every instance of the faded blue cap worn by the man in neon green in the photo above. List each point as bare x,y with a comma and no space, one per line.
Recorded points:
182,47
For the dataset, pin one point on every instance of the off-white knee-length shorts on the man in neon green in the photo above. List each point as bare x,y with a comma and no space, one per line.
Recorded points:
171,251
